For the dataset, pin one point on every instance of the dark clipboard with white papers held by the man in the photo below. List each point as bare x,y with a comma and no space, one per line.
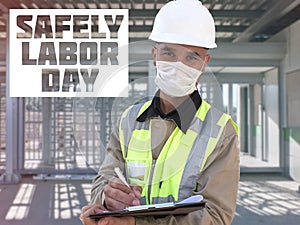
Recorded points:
186,206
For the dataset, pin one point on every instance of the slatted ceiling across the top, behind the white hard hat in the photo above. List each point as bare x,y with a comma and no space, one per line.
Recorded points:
236,21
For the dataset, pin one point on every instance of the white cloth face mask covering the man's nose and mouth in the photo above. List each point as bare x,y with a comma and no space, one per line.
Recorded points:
175,78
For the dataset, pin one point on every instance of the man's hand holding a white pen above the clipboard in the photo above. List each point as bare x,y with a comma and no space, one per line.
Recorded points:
119,196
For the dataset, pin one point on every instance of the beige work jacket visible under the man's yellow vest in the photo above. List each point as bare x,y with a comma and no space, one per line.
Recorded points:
218,183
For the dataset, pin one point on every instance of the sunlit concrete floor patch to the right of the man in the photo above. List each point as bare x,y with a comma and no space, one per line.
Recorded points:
267,200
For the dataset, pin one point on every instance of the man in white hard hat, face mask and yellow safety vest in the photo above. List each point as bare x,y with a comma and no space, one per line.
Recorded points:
176,145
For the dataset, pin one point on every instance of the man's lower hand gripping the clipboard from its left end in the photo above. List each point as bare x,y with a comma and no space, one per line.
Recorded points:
91,209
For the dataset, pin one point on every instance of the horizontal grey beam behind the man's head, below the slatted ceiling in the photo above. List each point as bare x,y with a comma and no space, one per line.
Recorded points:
227,54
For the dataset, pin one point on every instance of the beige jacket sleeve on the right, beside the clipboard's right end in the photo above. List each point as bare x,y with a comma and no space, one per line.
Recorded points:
218,183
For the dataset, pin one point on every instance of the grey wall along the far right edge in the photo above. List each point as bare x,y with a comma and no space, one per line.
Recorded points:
291,36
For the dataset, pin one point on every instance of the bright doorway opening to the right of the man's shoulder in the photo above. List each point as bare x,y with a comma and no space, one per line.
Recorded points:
254,105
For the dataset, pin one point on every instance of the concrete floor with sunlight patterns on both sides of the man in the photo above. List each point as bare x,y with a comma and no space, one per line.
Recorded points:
263,199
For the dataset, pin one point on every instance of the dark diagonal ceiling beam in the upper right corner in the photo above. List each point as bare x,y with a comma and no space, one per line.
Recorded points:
279,9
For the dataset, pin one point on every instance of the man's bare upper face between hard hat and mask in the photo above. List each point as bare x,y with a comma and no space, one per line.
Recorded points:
195,57
